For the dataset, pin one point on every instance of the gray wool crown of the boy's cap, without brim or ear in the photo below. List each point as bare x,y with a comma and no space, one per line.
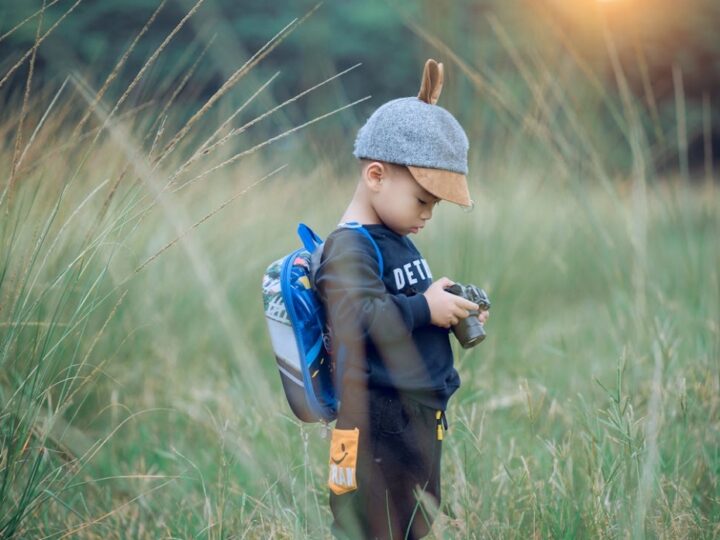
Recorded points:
408,131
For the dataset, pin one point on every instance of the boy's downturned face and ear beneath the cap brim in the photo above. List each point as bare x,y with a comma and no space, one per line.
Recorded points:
400,202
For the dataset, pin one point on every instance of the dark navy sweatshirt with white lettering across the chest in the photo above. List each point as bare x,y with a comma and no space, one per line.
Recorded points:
385,323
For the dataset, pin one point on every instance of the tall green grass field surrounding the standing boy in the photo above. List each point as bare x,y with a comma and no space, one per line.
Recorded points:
139,395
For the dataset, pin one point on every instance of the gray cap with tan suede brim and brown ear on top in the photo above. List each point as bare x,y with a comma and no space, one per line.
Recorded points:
427,139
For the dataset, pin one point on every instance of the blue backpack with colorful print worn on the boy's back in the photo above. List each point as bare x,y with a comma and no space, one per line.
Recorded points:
300,335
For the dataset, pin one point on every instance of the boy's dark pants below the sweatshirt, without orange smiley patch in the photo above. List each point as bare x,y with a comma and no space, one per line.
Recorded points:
398,469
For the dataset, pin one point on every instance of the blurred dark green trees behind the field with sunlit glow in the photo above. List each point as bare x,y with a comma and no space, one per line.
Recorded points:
669,53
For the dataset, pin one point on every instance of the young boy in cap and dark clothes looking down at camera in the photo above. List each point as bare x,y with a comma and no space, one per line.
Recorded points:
396,369
